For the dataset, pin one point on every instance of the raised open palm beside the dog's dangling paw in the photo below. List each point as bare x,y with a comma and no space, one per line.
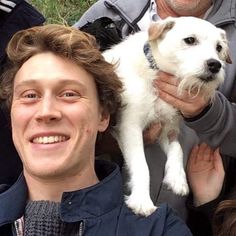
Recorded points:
205,173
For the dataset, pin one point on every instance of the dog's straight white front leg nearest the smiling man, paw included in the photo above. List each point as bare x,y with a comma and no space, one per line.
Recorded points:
130,140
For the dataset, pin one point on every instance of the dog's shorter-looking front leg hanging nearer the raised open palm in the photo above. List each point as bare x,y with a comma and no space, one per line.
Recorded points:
175,177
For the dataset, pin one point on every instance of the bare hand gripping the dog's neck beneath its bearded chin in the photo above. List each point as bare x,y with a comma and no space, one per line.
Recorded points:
190,105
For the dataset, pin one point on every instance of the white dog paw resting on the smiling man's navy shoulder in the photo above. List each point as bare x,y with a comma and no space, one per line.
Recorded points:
140,206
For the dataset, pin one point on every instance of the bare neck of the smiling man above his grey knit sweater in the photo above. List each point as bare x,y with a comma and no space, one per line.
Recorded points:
51,189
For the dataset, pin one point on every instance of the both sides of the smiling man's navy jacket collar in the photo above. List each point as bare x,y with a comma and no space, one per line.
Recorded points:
78,205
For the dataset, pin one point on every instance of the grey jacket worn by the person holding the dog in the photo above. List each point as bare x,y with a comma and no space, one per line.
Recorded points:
217,126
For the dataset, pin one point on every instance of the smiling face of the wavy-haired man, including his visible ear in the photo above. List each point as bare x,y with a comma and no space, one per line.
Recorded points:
55,117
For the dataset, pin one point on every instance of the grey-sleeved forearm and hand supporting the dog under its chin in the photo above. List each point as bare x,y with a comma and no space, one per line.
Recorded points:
213,121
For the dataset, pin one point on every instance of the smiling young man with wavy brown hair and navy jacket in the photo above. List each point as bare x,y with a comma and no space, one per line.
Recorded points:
61,93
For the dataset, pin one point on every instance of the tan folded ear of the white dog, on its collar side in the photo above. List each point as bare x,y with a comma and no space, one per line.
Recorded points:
157,29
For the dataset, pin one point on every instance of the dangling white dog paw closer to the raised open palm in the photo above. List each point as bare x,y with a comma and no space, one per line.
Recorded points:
177,182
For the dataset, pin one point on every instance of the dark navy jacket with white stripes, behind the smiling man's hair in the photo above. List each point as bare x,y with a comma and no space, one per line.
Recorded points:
22,16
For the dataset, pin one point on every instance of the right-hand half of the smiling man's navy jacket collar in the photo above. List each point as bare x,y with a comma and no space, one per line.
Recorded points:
96,200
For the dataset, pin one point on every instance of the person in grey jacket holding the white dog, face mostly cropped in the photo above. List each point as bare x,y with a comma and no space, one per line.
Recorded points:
214,123
